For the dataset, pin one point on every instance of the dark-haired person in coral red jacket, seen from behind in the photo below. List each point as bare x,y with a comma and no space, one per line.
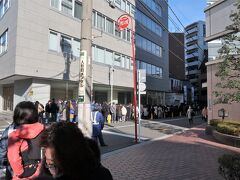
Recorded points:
24,153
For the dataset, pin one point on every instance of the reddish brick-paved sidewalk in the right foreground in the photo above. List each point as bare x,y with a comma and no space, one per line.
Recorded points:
189,155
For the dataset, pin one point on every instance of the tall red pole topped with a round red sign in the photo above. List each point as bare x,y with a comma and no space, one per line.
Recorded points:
123,23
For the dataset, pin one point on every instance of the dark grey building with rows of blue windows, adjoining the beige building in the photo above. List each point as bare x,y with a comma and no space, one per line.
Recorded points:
152,48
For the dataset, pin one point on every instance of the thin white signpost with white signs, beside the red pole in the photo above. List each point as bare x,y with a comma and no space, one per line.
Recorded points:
141,90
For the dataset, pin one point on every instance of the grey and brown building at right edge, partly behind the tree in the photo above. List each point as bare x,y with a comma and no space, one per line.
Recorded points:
217,19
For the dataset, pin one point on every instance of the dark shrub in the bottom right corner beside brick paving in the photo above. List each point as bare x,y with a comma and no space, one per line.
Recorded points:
229,166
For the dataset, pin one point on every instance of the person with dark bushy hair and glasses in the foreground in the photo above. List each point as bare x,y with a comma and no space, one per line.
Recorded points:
68,155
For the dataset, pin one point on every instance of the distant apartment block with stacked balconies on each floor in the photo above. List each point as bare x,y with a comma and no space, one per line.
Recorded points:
195,46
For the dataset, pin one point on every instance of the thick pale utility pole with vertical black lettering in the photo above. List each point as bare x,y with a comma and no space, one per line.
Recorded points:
85,70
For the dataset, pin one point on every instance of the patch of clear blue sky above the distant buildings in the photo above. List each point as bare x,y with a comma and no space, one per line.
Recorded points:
188,11
